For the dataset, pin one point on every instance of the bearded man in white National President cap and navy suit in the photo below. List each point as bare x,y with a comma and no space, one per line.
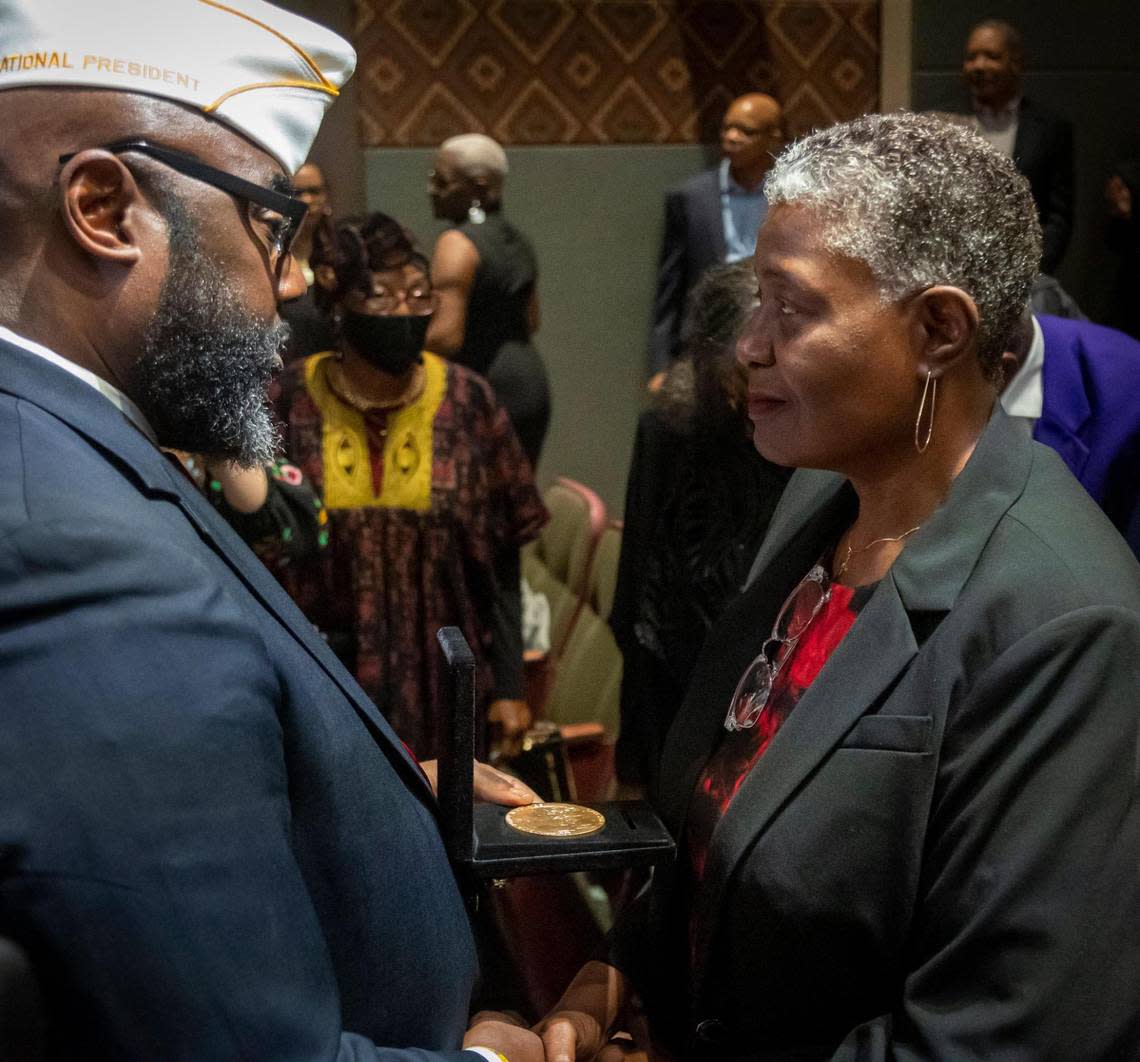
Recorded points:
211,844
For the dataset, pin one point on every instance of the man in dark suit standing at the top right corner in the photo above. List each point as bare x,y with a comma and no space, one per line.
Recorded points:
1040,142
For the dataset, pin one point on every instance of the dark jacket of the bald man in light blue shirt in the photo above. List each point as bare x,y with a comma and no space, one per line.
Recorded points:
694,241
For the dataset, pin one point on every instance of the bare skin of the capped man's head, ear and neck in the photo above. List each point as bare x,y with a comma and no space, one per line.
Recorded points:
87,247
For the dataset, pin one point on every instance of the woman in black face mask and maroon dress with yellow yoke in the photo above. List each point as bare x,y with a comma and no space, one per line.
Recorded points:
428,492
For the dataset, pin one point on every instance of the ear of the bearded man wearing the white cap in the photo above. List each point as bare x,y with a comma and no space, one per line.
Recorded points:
100,201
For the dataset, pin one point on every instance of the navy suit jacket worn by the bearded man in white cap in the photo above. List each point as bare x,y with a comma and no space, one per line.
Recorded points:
214,847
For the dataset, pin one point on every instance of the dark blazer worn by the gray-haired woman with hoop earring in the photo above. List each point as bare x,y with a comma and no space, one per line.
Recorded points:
937,859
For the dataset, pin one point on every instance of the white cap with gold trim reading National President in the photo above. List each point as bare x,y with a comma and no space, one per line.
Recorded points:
268,73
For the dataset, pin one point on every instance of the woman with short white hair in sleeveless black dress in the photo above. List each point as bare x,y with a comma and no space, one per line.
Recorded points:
485,275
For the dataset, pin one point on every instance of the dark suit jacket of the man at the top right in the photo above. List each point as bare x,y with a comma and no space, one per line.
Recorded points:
1044,152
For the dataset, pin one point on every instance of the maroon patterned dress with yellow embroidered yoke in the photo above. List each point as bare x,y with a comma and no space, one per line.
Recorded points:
421,502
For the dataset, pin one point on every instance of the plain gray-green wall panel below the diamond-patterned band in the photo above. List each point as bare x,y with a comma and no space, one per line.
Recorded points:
595,216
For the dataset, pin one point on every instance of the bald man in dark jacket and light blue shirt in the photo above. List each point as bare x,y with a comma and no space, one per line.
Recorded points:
714,217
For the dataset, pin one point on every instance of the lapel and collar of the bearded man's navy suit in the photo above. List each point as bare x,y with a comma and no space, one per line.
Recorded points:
76,404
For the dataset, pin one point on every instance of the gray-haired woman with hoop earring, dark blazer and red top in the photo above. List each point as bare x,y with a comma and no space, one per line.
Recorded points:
905,780
